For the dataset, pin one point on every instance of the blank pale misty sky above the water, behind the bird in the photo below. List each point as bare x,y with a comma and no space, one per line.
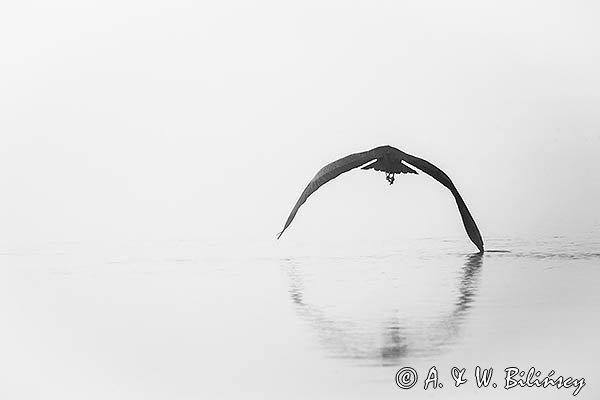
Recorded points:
205,120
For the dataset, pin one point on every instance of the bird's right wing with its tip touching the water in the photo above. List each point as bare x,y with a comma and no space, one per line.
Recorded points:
441,177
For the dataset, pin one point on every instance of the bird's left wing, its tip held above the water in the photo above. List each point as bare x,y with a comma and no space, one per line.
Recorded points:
327,173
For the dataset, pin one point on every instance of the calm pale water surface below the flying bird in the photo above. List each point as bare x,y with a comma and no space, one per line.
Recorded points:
192,320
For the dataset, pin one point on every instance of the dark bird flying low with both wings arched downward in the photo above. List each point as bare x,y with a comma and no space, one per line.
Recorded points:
391,161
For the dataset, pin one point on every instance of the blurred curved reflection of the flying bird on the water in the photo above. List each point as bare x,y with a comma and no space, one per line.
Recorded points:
401,336
